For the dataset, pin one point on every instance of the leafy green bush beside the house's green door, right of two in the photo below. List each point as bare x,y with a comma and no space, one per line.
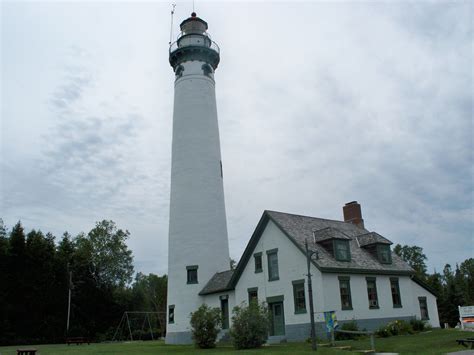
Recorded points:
249,326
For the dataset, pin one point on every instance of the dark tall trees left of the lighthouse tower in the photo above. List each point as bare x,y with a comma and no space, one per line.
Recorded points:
37,271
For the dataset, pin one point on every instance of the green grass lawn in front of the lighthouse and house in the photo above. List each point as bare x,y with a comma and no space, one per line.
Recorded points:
437,341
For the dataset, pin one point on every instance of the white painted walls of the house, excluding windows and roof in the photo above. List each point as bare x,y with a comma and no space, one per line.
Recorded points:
326,293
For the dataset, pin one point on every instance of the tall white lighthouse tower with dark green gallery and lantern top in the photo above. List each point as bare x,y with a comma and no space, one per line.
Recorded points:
198,244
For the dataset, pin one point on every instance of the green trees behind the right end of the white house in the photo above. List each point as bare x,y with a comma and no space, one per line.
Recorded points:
453,286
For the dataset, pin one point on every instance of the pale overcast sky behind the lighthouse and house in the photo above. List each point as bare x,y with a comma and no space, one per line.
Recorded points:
320,103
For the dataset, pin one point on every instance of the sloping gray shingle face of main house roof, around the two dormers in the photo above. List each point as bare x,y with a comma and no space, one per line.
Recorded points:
300,228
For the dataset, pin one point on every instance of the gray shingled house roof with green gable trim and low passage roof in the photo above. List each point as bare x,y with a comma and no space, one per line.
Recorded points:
300,228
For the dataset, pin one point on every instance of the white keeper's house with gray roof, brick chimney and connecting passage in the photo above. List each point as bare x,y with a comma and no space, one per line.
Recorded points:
354,272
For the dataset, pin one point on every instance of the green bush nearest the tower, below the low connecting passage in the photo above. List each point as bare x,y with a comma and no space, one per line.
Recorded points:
205,324
